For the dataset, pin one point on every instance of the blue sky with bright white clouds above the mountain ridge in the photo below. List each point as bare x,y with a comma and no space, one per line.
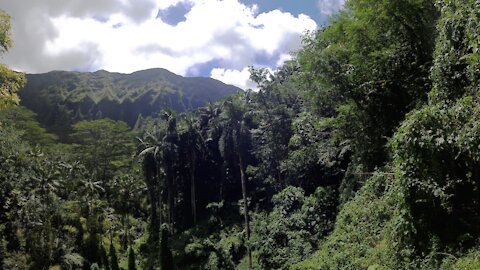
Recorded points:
210,38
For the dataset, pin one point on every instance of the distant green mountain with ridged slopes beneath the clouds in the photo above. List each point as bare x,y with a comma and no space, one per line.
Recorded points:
61,98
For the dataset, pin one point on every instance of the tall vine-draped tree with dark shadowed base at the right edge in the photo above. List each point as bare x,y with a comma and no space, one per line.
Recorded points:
436,150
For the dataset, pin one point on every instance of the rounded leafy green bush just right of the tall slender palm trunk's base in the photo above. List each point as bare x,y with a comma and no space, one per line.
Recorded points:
293,228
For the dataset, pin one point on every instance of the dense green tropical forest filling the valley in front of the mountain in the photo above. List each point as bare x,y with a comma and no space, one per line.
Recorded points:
362,152
